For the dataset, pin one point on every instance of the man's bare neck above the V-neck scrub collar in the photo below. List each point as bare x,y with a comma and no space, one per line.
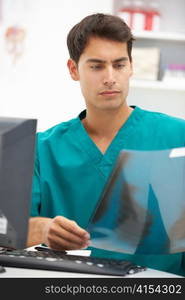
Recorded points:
106,124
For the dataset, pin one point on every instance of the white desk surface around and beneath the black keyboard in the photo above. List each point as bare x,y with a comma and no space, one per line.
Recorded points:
34,273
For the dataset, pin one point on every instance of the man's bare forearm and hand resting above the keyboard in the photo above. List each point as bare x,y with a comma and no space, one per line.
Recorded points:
58,233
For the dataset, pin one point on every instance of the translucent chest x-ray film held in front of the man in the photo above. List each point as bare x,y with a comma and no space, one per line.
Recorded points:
142,208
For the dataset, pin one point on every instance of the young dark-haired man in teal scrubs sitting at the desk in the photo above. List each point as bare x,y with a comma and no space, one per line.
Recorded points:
74,159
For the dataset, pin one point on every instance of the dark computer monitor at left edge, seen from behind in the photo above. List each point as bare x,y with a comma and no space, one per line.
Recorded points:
17,144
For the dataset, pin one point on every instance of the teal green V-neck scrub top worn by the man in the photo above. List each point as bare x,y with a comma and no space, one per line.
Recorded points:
71,172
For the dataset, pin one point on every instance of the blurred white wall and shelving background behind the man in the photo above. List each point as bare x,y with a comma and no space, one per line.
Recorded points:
34,79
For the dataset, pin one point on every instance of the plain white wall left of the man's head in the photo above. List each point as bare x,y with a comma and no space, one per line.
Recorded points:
39,85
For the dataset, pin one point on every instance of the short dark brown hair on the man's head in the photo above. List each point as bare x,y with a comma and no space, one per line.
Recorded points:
98,25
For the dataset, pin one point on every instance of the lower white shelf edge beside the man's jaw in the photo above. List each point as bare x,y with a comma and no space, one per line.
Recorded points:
157,85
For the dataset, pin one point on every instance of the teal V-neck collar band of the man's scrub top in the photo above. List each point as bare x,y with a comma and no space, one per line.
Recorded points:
109,157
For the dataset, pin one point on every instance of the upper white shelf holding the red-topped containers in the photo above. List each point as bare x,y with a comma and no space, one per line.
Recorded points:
166,36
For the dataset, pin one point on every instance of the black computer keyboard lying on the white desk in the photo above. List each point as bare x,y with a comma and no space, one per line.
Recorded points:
60,261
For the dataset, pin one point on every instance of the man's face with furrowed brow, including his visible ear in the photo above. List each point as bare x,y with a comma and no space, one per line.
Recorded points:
103,70
